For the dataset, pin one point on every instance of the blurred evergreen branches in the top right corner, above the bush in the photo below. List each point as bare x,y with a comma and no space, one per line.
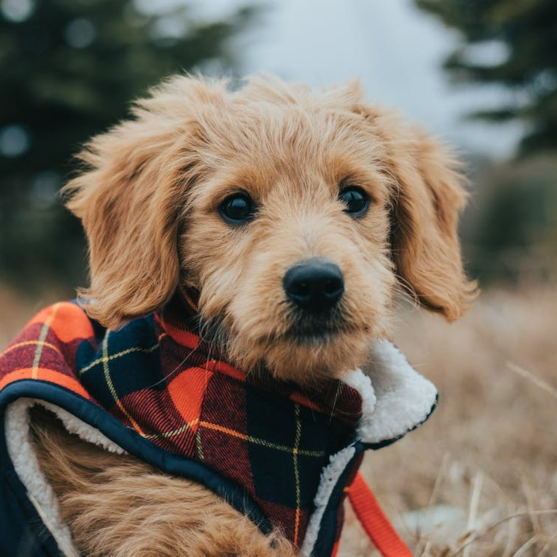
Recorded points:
520,37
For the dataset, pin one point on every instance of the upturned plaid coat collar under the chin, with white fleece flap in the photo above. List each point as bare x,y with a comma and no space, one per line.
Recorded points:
390,397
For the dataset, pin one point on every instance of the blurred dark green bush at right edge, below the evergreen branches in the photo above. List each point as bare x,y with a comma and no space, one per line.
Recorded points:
510,229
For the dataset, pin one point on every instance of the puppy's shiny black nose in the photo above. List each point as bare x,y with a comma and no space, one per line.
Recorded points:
314,285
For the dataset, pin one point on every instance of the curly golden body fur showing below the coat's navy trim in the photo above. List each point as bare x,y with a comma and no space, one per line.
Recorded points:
118,506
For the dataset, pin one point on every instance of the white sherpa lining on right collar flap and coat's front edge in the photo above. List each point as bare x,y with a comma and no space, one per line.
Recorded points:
395,399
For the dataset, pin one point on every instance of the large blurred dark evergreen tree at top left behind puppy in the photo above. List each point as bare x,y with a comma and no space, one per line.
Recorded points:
68,70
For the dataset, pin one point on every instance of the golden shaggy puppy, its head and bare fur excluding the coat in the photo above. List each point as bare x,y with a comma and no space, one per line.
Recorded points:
295,217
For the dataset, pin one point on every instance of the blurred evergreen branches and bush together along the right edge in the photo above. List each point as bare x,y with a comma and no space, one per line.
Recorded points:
511,229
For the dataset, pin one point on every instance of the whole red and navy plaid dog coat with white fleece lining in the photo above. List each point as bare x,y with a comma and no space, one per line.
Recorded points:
280,454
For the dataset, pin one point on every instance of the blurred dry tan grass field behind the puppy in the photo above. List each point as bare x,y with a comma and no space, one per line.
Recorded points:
484,468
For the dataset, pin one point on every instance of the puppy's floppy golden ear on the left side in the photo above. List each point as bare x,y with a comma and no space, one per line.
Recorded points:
131,197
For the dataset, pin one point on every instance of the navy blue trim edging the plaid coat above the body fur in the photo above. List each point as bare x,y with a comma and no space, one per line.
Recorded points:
130,441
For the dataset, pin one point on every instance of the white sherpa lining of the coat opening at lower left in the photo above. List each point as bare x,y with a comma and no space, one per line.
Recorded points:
27,467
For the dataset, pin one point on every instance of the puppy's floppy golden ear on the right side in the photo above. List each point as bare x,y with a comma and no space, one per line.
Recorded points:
427,196
